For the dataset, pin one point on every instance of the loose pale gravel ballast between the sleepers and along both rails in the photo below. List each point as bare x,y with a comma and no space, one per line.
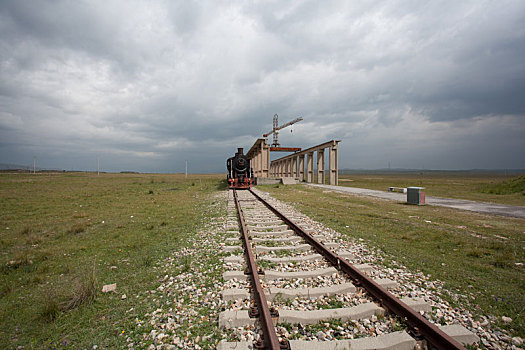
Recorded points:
185,306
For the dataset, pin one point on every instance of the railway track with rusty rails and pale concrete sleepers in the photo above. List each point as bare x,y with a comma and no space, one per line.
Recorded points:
287,280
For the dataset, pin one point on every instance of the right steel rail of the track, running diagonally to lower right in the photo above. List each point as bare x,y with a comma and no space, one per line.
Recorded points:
419,325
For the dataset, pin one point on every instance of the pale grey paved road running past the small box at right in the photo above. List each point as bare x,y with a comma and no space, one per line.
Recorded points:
489,208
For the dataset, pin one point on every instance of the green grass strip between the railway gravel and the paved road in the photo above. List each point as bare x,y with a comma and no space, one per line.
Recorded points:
472,253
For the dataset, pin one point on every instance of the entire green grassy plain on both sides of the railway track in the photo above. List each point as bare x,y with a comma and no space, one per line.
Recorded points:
65,235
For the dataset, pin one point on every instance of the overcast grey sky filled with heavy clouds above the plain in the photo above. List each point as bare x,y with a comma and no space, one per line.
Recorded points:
146,85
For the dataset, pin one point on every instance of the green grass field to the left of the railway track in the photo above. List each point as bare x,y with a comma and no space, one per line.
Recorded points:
65,235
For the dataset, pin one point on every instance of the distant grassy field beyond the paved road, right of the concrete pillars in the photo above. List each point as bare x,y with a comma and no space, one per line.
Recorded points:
483,187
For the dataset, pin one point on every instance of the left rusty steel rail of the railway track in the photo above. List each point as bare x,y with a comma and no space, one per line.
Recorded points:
270,339
